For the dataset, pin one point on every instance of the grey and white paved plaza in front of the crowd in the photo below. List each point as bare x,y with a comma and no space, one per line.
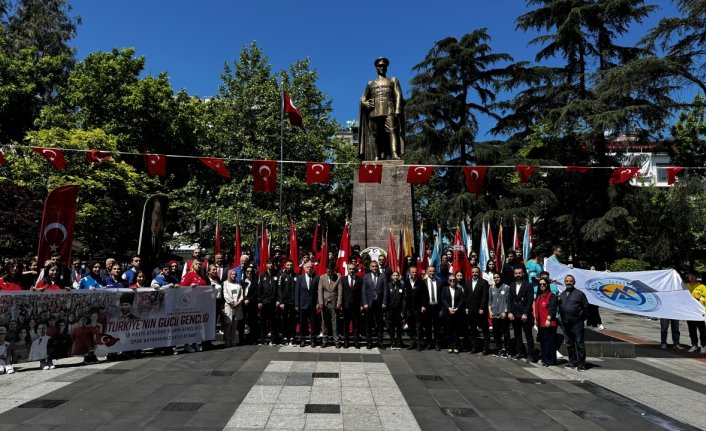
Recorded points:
297,388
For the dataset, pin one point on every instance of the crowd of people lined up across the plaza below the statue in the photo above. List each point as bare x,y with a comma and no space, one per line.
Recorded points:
289,303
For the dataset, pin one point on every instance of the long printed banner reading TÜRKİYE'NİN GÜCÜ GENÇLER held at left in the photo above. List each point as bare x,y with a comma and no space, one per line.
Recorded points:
114,320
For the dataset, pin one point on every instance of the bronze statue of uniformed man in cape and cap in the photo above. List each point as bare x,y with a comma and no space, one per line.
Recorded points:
381,117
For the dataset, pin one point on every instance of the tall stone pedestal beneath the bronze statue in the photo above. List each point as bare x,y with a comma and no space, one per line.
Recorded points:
377,207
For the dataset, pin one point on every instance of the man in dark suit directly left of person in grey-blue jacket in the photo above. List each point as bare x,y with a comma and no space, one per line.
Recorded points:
477,308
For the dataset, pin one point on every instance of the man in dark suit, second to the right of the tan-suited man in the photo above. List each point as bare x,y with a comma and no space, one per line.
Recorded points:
374,300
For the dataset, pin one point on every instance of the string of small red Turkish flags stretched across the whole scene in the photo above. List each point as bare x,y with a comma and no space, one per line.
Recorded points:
265,171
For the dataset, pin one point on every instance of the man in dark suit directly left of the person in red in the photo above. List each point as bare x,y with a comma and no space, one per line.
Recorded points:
520,300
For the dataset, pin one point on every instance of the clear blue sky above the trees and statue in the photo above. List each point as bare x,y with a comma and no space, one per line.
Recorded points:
191,40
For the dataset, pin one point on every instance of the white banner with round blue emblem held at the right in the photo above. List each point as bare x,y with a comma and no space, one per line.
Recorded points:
659,294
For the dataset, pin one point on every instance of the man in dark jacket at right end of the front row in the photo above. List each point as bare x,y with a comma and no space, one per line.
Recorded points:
572,305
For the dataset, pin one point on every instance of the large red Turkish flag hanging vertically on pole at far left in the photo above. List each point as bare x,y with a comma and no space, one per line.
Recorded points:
57,230
